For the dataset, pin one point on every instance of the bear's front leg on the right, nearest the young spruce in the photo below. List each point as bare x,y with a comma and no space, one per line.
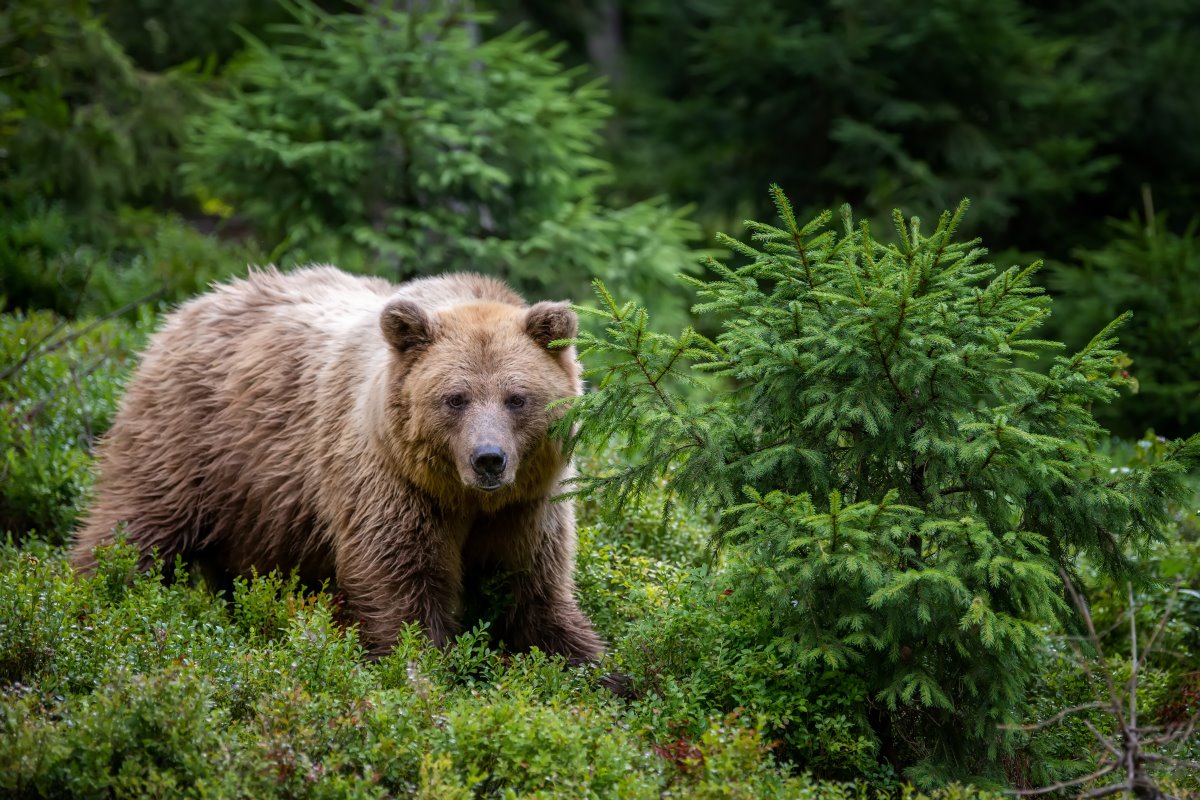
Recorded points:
541,557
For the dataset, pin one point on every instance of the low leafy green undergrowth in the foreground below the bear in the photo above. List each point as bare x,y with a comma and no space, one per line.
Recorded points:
121,684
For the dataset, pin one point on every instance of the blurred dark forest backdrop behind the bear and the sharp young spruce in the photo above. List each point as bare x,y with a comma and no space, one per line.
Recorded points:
151,147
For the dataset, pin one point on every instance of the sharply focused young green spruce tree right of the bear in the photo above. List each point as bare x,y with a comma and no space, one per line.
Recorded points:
897,488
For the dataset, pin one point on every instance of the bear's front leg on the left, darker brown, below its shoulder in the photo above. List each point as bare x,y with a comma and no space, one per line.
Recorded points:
400,572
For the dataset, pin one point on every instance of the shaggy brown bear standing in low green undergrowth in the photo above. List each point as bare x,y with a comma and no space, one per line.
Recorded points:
393,438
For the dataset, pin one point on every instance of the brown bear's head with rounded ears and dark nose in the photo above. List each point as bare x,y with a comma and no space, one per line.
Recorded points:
470,393
